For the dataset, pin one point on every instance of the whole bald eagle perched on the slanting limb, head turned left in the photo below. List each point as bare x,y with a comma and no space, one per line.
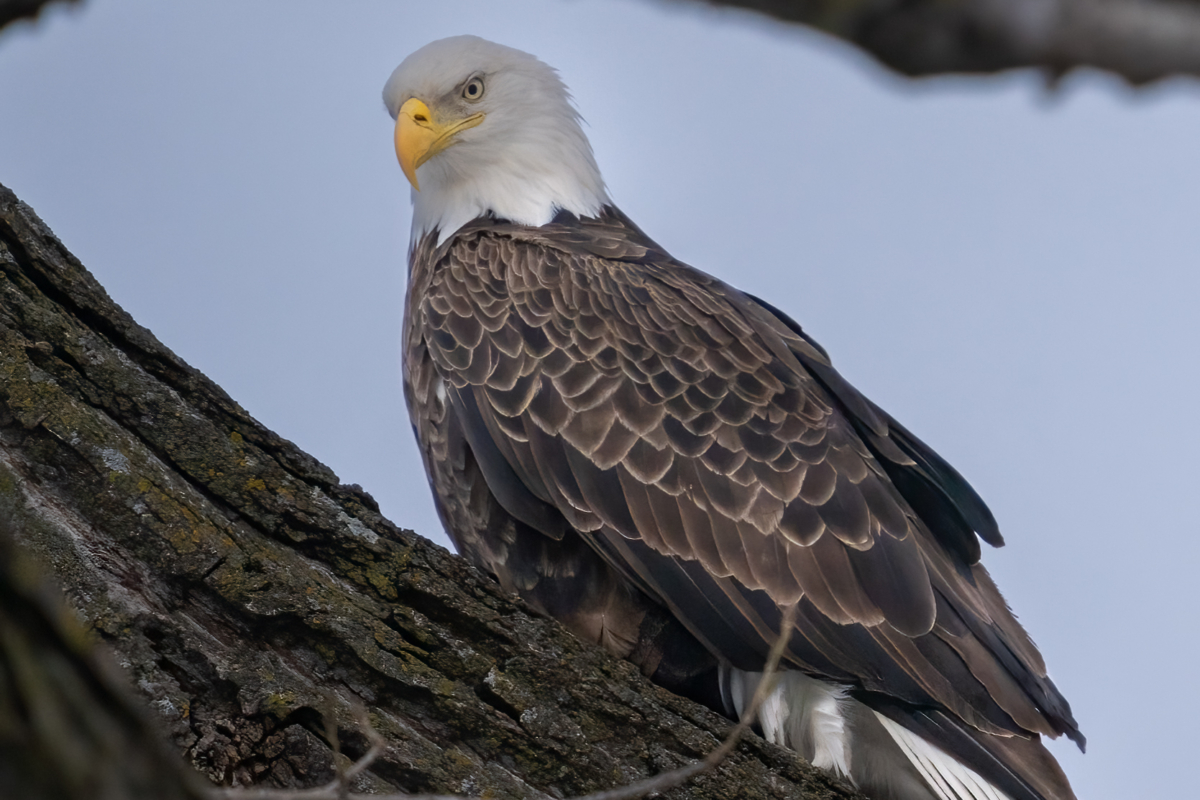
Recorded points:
665,464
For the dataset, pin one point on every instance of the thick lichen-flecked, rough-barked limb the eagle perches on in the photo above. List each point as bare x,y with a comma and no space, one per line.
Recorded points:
250,597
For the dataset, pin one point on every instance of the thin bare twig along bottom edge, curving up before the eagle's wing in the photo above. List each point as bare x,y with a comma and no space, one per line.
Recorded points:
339,789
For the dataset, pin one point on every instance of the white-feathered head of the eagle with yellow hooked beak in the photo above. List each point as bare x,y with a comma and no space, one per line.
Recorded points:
482,128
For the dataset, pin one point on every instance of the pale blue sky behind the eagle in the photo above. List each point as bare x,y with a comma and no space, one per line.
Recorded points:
1011,274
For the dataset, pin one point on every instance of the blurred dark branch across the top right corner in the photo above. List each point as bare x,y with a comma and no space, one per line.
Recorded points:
1138,40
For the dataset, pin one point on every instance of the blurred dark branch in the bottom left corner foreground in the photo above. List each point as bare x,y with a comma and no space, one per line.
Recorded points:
70,729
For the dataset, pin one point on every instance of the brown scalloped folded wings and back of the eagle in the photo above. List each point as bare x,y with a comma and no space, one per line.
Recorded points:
707,450
